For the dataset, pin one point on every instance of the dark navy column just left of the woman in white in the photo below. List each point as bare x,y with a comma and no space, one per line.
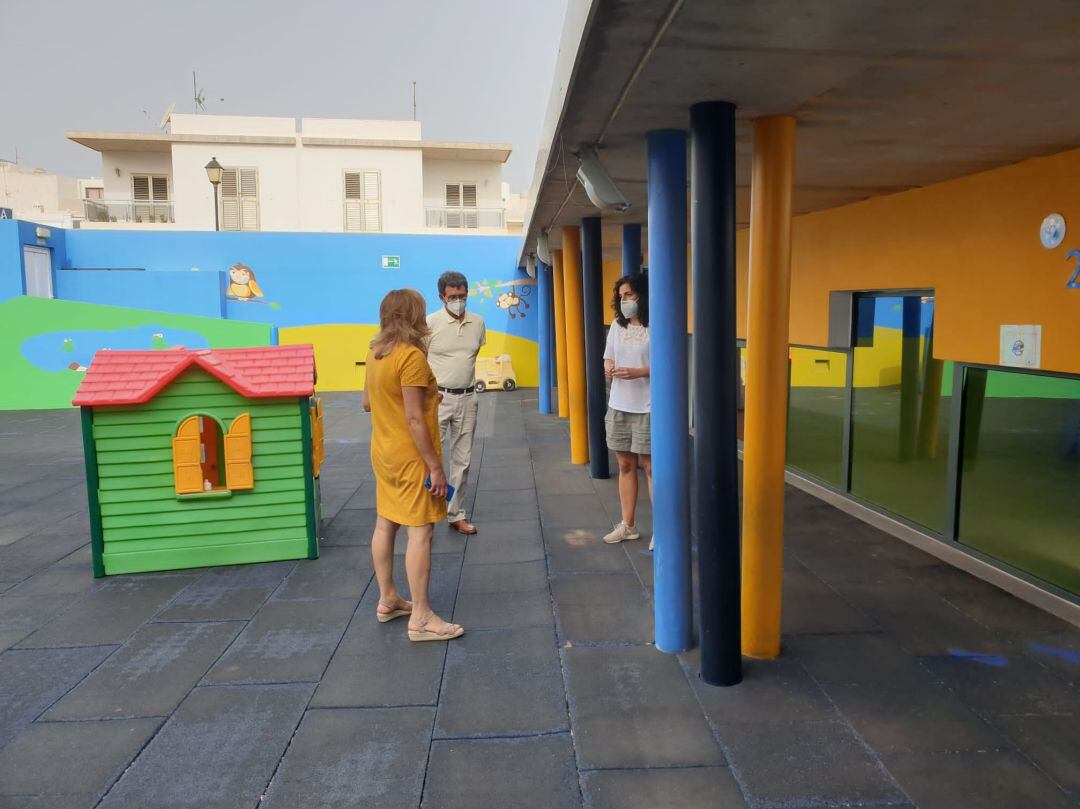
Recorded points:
592,292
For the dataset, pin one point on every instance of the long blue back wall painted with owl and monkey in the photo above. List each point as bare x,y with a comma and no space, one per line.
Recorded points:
306,279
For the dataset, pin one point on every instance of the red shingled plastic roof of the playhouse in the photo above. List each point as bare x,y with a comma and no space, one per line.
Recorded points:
136,377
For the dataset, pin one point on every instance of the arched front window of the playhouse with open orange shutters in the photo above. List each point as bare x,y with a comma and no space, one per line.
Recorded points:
205,461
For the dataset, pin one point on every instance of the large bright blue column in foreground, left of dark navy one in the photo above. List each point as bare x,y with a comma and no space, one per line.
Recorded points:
670,377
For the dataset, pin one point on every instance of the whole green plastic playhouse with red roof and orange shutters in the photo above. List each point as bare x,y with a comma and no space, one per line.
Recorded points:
200,459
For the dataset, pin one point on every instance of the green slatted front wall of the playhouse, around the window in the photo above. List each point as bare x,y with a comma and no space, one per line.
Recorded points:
146,528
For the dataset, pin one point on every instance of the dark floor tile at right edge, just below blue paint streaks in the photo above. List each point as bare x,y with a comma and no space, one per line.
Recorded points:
1000,685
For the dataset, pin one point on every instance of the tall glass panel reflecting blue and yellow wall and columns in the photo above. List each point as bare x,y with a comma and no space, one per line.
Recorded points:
900,410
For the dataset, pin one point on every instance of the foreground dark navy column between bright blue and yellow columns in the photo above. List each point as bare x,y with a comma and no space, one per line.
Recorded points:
715,402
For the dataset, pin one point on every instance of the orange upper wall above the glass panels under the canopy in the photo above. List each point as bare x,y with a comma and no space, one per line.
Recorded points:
974,240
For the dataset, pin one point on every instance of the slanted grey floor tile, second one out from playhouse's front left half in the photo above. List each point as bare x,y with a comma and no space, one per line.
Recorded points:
151,675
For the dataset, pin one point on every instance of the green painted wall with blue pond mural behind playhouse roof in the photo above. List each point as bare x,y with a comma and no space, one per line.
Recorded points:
26,385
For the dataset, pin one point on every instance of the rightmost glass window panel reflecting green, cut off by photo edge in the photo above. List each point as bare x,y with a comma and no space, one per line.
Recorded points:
1020,487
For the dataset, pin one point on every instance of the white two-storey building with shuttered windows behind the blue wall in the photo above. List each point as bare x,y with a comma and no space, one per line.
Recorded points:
326,176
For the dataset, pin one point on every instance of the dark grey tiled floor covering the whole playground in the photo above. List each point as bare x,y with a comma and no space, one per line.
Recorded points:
903,682
